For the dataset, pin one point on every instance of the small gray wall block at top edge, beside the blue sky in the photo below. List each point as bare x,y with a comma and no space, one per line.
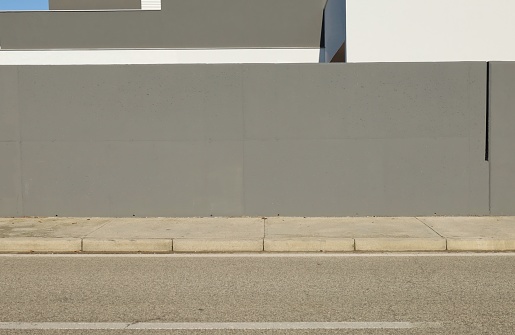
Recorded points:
93,4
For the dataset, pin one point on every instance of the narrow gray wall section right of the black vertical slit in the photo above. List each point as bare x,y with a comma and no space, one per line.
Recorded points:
502,137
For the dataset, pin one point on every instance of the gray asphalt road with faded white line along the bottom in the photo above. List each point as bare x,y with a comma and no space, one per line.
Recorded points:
408,294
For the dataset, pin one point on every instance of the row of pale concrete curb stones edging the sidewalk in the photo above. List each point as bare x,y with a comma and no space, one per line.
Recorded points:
300,244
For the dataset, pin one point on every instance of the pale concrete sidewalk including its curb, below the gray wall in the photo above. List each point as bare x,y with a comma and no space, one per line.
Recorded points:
275,234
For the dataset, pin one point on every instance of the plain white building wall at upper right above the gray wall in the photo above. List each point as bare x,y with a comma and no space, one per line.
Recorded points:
430,30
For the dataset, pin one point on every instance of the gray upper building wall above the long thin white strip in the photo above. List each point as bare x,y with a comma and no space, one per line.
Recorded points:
180,24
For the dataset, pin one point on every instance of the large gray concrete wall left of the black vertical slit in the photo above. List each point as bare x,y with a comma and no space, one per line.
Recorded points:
198,140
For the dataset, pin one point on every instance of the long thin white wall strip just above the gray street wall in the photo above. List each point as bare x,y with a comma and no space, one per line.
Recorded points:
158,56
